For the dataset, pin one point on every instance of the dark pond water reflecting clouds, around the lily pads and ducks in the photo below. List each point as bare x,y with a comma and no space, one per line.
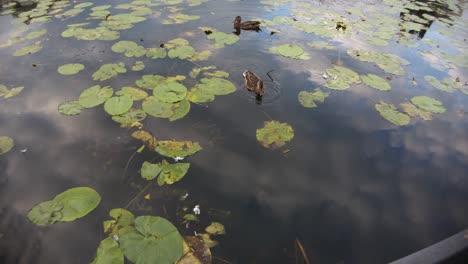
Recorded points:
353,187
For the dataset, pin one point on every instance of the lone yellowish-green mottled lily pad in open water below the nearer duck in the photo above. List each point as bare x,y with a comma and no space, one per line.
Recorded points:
274,134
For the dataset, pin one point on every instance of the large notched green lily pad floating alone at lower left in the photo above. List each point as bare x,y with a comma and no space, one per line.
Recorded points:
65,207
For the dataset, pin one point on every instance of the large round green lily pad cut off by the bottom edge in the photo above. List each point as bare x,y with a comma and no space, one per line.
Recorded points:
154,240
